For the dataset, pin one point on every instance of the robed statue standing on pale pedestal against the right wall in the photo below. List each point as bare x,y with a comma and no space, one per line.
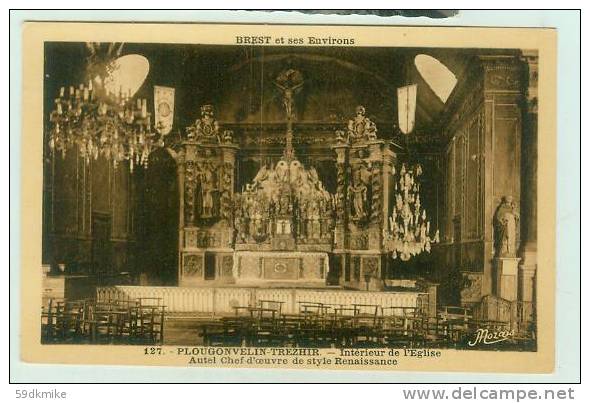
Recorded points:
506,228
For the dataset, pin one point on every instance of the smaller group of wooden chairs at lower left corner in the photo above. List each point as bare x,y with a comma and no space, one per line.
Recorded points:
138,321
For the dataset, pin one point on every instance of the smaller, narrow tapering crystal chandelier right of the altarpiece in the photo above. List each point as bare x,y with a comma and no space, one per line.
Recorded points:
408,229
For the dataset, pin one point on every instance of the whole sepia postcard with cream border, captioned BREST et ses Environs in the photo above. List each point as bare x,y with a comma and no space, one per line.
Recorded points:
284,196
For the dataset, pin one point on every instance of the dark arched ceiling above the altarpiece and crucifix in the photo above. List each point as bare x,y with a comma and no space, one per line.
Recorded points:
238,80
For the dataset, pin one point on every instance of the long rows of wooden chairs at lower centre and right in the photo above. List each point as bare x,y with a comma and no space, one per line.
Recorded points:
356,325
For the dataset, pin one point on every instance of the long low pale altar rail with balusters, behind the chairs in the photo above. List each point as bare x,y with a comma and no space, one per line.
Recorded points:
216,300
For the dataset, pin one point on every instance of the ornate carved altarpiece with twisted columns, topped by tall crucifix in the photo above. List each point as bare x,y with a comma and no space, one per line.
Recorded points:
284,226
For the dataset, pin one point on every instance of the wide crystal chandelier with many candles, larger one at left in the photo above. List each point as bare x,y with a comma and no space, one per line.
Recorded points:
100,122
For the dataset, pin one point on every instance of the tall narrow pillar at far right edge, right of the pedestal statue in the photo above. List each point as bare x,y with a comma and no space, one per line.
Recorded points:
528,265
